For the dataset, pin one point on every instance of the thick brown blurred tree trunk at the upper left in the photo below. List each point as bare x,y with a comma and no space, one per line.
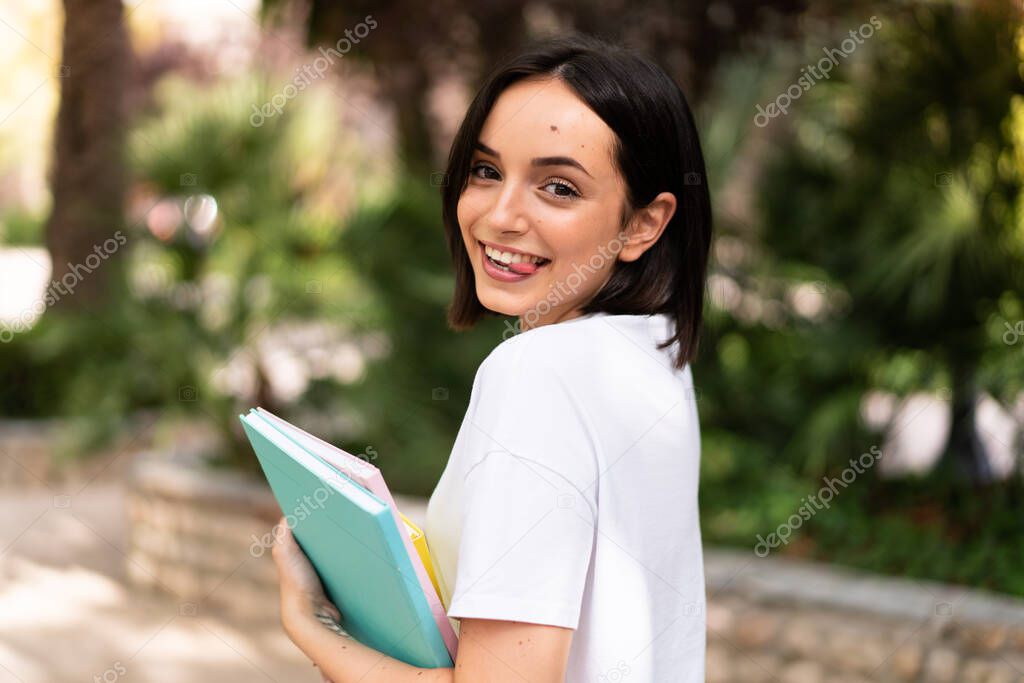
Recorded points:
89,176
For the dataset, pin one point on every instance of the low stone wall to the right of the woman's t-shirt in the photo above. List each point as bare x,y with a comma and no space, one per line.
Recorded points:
774,620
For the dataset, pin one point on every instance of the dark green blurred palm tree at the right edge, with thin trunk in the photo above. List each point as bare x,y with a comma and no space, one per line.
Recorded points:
904,183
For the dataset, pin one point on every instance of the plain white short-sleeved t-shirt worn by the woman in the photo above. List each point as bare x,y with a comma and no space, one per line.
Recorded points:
571,499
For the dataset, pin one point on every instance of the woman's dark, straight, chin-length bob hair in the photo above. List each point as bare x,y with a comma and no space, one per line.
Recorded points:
657,150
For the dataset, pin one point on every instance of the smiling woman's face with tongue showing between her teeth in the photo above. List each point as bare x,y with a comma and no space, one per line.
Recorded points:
543,184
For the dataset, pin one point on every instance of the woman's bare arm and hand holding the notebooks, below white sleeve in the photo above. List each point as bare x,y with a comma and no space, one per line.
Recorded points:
490,651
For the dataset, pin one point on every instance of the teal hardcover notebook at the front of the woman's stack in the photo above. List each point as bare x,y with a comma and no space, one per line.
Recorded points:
351,538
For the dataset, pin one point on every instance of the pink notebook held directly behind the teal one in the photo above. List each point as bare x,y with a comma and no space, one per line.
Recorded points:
371,479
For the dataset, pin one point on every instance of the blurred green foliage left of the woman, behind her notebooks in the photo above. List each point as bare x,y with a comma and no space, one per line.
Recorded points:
281,253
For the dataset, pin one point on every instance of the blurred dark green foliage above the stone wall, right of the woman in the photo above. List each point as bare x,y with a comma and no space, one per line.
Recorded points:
890,199
